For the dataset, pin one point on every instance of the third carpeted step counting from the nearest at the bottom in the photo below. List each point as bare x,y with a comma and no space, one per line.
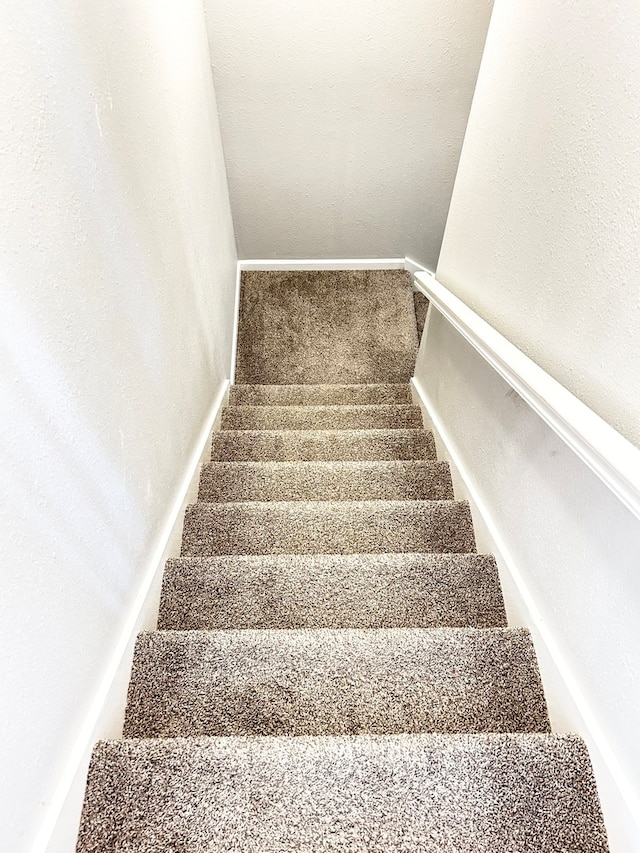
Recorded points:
332,591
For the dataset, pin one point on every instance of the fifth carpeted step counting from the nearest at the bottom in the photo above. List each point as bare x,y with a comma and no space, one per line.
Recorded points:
325,481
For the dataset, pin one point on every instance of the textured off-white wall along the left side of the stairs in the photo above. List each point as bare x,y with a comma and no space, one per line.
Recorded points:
117,268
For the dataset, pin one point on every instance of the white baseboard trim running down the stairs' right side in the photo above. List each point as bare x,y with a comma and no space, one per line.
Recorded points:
575,708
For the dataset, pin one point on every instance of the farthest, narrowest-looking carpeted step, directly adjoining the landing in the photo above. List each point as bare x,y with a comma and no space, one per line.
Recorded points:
319,395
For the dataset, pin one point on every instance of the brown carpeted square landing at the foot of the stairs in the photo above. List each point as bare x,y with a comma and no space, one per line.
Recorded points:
324,326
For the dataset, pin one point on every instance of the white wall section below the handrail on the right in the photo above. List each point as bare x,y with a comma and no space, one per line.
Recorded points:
575,548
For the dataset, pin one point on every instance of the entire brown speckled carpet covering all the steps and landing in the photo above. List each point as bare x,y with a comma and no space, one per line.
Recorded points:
332,668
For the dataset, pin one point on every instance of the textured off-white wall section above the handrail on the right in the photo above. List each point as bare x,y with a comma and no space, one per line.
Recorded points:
542,236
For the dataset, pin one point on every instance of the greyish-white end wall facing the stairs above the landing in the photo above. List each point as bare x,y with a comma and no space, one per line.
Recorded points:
342,122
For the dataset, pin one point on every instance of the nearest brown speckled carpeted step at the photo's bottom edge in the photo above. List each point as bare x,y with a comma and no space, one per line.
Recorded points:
465,793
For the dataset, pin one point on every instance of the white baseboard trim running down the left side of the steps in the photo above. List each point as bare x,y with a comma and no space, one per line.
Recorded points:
59,828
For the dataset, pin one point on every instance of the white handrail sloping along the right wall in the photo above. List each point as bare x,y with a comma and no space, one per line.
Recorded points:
609,455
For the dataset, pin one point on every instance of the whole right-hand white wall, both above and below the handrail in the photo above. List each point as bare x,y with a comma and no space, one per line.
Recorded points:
542,240
